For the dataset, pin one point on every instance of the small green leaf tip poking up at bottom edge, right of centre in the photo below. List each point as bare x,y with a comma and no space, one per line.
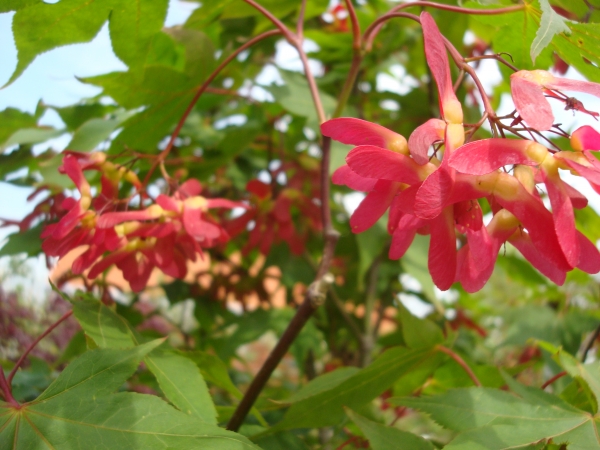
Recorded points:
382,437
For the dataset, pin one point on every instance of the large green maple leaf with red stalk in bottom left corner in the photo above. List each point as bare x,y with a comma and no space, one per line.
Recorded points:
80,411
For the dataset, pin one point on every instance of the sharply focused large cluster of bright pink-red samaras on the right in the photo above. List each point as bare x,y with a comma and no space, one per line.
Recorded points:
440,198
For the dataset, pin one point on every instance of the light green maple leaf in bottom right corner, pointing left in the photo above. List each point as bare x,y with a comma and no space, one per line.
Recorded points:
492,419
